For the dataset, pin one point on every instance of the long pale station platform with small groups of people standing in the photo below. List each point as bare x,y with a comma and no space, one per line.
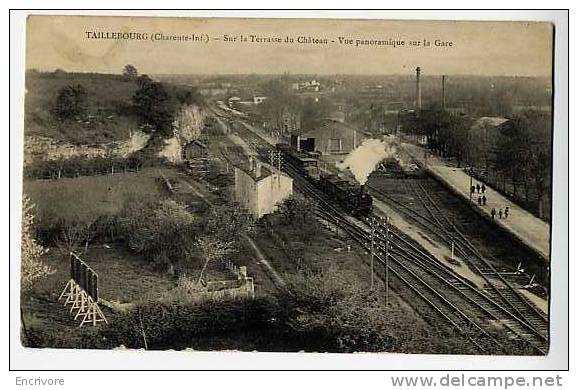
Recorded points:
524,226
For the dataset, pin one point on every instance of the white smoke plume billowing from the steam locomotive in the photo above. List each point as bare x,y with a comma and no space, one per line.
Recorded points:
365,158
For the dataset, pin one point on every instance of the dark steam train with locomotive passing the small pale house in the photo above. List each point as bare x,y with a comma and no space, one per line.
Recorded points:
351,196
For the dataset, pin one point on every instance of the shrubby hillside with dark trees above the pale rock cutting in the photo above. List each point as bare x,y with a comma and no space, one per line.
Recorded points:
93,108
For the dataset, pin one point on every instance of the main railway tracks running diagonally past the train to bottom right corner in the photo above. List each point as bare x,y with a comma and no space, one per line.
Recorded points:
422,273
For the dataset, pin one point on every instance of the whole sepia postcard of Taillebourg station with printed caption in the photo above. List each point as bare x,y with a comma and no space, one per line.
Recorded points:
287,185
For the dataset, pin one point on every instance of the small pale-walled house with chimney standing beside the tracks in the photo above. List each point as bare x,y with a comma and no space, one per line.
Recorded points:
260,187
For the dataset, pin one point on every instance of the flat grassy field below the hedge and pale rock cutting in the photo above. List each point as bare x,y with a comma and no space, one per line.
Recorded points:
87,197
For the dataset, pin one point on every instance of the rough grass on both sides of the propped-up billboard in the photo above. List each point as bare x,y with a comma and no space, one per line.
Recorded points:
123,277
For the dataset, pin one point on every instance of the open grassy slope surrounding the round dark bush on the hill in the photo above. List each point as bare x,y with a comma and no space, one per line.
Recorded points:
109,103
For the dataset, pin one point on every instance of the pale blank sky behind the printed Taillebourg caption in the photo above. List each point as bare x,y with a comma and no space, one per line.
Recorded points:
477,48
